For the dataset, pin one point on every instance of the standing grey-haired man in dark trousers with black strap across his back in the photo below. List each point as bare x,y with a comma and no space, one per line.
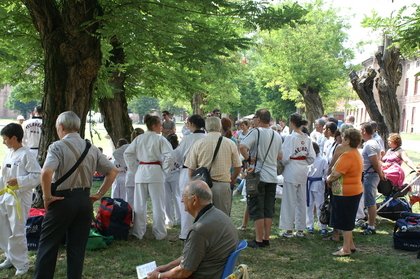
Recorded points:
69,204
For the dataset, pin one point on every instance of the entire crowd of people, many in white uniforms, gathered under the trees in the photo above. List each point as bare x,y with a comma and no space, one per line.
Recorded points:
344,162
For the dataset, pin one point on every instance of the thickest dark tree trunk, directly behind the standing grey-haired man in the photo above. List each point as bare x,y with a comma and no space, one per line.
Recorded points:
72,59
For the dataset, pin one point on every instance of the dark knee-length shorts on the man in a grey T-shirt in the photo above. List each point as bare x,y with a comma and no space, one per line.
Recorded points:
262,205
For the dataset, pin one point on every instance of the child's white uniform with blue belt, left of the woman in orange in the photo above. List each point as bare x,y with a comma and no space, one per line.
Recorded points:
317,188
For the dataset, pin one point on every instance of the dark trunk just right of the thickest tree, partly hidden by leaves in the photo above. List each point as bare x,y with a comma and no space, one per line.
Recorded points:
116,119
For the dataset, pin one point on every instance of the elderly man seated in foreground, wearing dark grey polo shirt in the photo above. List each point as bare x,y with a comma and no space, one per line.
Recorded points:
209,243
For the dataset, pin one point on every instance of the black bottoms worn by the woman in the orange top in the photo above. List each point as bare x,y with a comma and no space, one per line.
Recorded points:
344,210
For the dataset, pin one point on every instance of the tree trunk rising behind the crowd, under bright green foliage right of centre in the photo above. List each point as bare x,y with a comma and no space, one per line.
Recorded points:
313,104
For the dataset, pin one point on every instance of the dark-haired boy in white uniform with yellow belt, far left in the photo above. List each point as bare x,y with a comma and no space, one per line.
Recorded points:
20,174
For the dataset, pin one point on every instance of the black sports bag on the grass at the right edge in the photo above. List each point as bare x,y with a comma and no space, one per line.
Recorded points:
407,232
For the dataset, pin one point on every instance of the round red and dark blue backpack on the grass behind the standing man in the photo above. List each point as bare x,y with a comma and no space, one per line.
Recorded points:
114,218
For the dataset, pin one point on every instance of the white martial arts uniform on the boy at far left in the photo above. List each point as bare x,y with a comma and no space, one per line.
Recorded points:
22,165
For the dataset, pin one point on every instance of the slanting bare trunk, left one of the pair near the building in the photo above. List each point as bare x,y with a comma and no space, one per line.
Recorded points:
364,89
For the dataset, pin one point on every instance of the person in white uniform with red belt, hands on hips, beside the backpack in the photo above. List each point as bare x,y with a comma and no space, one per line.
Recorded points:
150,154
